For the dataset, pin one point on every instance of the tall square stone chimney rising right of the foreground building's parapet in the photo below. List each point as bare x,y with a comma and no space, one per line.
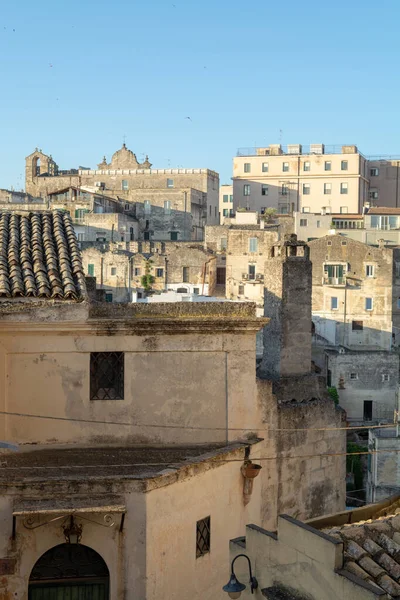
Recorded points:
287,302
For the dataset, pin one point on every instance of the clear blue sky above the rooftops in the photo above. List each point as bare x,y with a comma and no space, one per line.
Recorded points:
77,76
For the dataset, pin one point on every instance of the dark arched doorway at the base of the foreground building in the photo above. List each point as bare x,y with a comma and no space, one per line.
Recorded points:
69,571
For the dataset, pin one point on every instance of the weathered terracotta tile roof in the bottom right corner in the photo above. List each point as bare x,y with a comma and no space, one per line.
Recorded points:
372,550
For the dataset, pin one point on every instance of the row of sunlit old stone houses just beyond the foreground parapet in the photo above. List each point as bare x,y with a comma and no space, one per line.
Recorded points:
119,268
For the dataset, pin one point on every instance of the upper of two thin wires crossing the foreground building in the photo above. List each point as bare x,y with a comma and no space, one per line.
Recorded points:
197,427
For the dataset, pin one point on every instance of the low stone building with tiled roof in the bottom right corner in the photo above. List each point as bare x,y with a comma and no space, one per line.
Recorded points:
351,555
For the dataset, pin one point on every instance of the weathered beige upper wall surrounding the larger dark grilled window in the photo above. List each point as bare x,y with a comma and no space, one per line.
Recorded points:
175,373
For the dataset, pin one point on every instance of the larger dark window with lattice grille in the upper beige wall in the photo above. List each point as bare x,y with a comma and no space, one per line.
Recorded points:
106,375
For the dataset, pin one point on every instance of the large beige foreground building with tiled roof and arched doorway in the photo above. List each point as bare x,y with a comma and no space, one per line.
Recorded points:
138,424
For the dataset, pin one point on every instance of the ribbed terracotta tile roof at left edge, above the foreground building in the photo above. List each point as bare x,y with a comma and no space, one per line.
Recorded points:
39,256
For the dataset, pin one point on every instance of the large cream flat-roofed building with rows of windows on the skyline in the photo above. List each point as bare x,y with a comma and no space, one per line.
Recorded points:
336,179
